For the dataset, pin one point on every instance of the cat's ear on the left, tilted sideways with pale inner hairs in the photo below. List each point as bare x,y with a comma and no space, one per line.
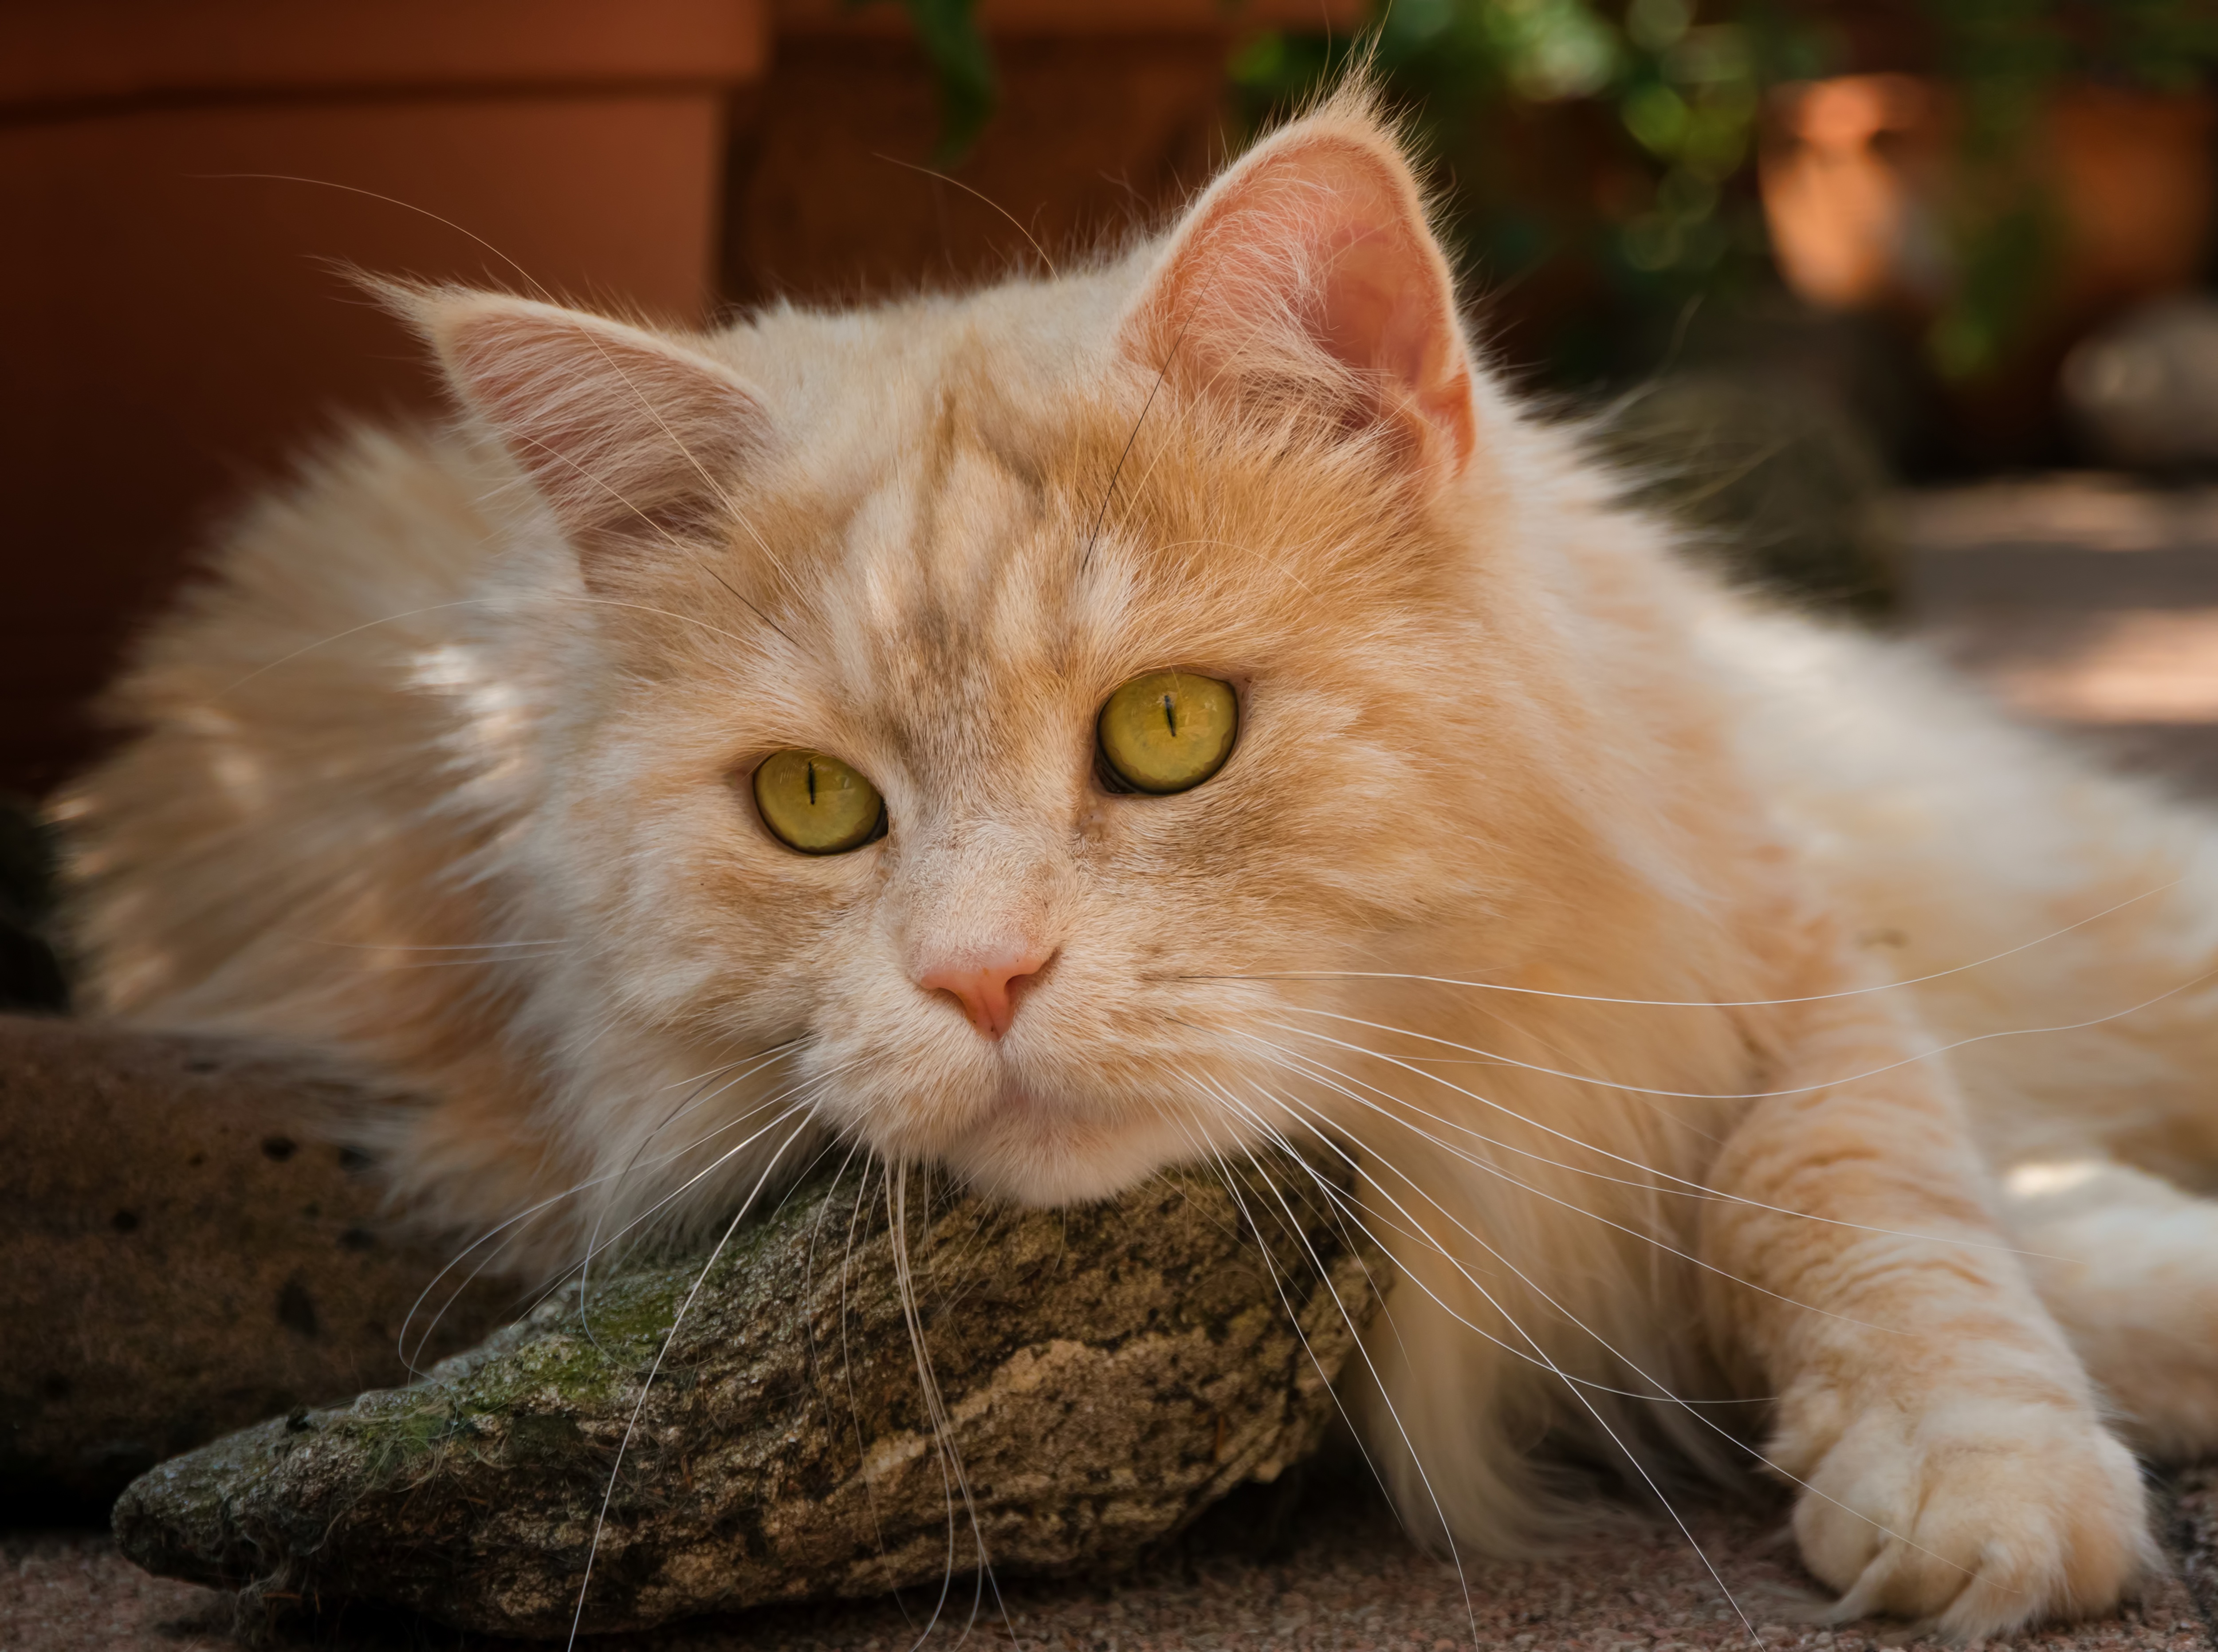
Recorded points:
629,438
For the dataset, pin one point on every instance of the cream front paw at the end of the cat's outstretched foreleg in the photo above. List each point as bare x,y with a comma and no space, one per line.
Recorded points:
1977,1518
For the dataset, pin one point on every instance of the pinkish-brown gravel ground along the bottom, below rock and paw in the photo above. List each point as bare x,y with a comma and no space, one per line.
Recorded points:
1347,1582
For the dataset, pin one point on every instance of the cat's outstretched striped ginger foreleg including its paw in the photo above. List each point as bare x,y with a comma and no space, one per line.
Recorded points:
1949,1442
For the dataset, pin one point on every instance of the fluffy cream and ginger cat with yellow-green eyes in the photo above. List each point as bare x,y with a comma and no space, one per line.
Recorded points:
1157,711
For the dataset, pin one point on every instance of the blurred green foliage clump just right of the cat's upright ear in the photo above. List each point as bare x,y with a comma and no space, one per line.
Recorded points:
1607,141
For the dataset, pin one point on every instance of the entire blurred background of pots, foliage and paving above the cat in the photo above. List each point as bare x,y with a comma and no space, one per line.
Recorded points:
1902,305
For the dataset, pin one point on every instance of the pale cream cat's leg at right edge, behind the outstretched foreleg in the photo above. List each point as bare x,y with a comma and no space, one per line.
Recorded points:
2130,1267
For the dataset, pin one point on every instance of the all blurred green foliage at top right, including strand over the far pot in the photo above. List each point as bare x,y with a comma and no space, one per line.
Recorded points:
1667,99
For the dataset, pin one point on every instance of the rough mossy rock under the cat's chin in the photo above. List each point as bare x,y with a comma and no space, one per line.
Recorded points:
1106,1374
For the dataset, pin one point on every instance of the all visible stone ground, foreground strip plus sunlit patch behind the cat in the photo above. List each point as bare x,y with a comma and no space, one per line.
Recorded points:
2086,604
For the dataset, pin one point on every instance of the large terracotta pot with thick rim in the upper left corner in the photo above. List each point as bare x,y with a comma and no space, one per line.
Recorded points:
183,318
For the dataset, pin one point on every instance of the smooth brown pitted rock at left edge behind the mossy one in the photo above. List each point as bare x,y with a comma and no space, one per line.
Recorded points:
181,1256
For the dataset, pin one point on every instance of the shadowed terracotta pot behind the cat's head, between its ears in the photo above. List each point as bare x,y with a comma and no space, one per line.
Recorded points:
1110,114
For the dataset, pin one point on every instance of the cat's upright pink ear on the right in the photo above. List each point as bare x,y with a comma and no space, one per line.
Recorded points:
1308,276
